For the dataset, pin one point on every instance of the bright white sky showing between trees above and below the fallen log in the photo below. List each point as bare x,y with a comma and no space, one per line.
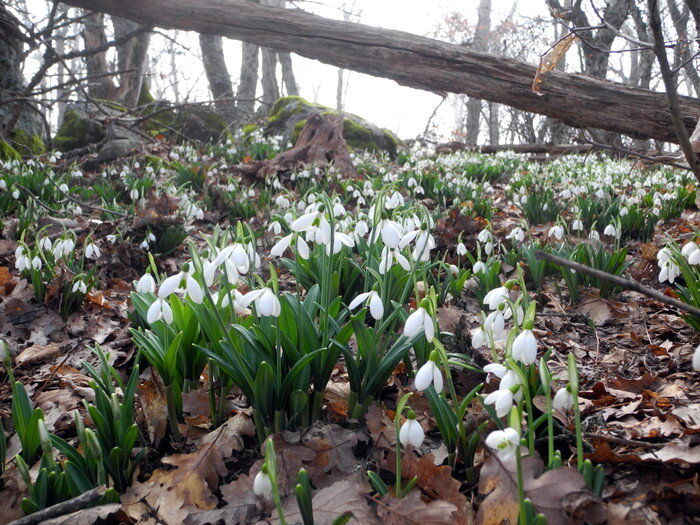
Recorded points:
403,110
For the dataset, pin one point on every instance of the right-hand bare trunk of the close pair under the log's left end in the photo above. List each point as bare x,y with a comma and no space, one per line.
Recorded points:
131,60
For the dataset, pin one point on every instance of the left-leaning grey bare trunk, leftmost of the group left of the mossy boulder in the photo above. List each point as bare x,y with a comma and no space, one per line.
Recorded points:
212,48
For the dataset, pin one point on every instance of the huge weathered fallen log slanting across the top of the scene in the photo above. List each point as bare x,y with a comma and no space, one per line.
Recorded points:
419,62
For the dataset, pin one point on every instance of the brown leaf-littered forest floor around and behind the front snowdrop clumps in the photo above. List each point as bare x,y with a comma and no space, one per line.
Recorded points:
640,406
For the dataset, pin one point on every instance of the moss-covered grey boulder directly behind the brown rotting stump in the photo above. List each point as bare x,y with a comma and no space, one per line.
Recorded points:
288,116
